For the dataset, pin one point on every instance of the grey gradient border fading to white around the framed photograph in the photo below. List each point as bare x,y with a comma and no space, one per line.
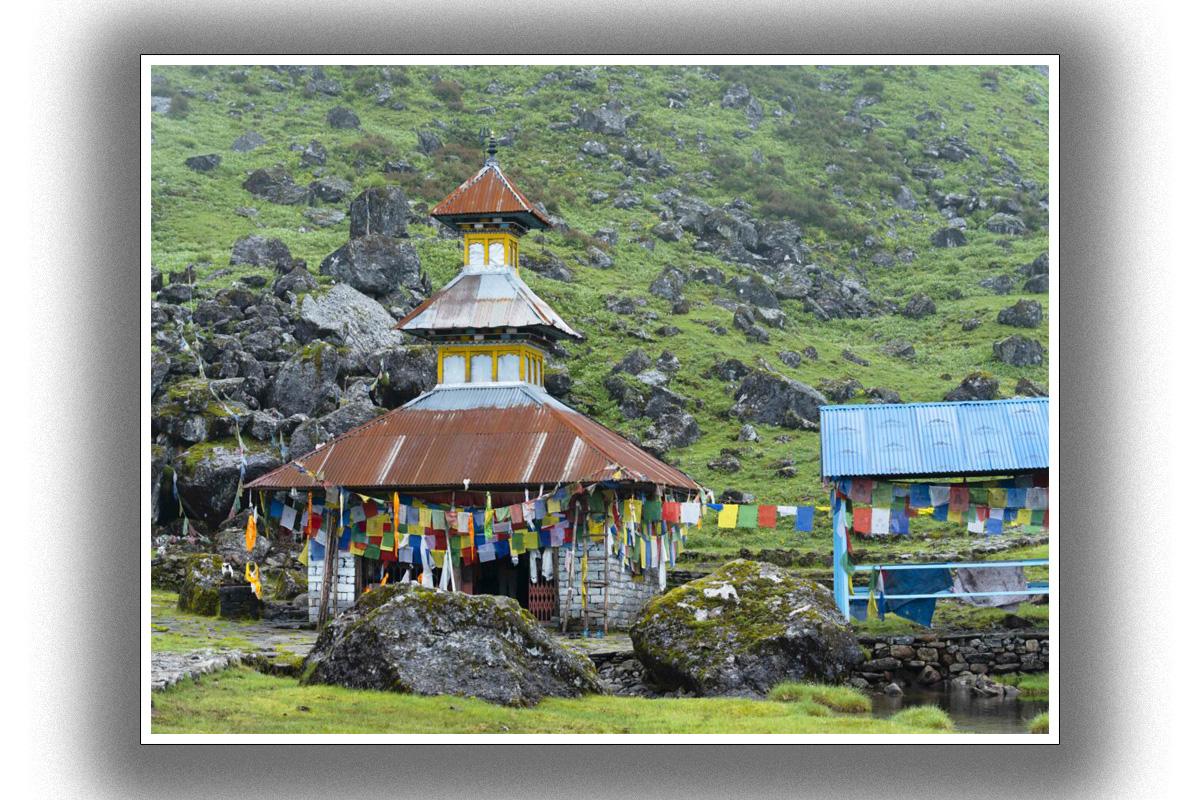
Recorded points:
82,663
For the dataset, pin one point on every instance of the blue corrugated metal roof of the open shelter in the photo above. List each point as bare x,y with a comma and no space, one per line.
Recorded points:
989,437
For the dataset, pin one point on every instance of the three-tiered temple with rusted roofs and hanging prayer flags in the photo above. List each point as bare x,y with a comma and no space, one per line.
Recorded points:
487,484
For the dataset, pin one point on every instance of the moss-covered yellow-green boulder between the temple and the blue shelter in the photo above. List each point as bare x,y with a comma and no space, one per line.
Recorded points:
742,630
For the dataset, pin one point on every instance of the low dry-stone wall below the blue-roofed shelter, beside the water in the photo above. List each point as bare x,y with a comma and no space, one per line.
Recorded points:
929,659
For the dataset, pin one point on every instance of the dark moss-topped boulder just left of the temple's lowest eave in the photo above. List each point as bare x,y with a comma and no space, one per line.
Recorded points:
209,473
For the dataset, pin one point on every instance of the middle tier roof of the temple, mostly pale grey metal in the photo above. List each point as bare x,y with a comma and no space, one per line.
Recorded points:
485,298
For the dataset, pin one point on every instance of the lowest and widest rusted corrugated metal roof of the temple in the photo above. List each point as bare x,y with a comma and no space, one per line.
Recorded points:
508,437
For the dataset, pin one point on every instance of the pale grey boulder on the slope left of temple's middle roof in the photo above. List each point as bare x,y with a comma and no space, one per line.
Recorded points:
346,316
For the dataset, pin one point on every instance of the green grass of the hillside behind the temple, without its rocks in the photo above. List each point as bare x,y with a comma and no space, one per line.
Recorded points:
813,160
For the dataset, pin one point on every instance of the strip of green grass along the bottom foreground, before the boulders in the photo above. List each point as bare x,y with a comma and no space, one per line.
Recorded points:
243,701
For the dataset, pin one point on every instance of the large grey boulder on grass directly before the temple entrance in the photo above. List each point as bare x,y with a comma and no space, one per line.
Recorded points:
411,640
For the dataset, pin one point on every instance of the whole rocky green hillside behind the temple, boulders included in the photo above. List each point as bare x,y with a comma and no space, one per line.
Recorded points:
743,244
